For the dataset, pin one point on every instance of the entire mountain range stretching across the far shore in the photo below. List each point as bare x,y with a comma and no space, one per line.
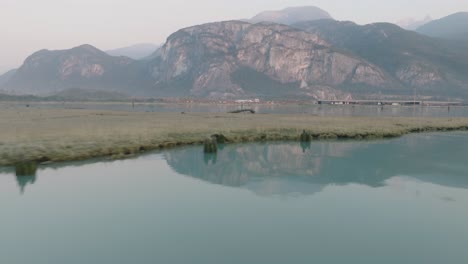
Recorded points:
295,53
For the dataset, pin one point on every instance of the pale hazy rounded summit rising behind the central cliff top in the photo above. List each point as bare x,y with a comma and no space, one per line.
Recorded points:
291,15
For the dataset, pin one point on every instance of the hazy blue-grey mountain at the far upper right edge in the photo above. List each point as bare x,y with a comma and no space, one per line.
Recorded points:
450,27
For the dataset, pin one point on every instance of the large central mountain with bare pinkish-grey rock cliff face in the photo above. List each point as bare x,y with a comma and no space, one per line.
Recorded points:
239,59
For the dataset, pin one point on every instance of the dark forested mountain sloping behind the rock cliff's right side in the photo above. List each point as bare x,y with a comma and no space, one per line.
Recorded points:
432,66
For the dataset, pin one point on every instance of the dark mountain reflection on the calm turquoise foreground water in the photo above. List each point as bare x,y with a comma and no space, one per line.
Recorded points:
281,168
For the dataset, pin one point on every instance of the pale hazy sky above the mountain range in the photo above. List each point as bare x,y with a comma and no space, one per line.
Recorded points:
30,25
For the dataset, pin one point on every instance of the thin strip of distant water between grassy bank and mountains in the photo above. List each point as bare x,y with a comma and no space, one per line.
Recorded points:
311,109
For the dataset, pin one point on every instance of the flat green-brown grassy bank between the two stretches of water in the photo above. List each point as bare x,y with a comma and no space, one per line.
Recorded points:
50,135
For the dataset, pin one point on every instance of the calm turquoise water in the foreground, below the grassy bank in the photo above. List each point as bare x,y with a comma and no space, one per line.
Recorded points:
395,201
